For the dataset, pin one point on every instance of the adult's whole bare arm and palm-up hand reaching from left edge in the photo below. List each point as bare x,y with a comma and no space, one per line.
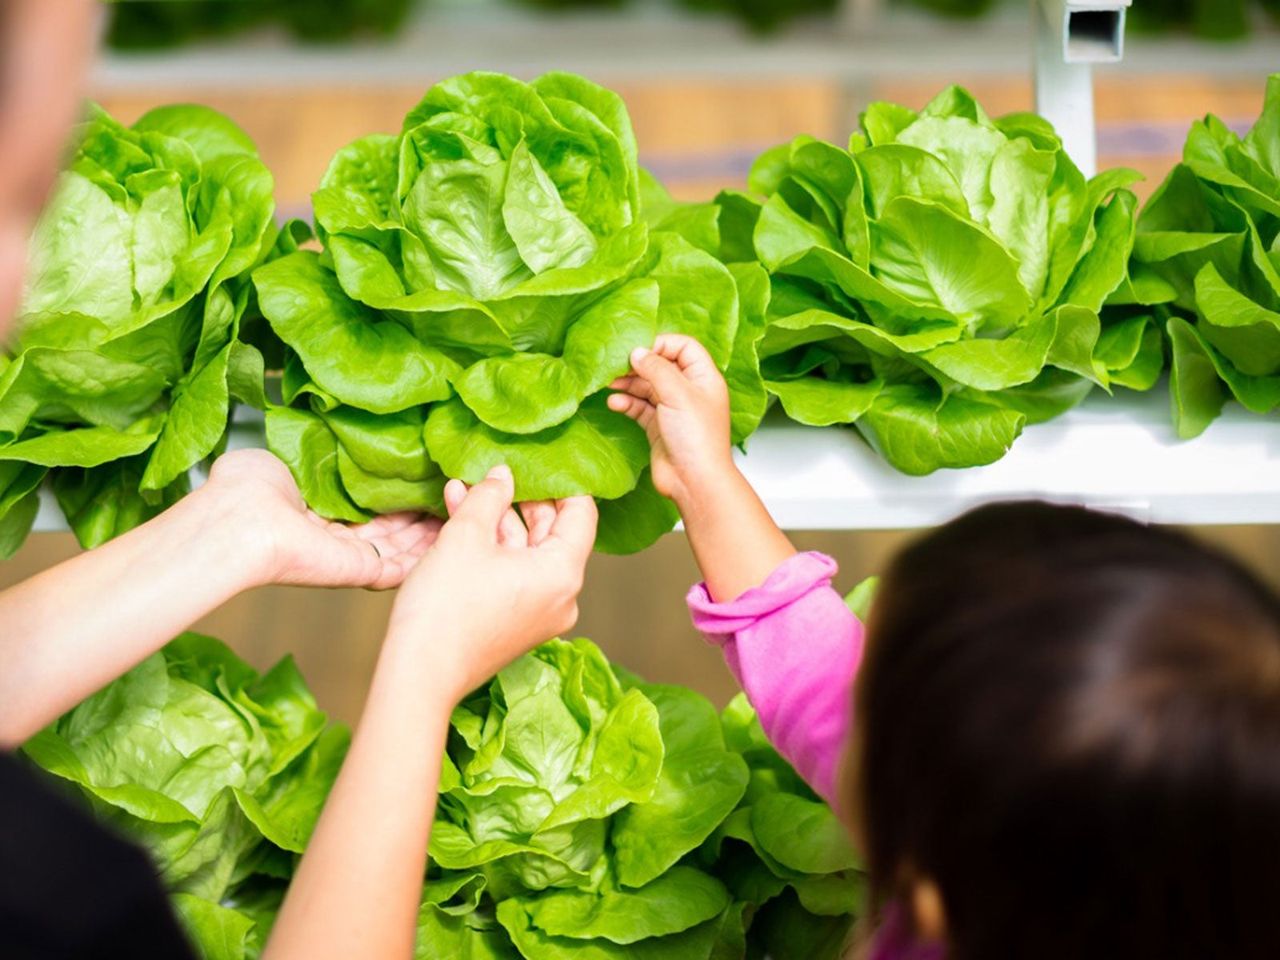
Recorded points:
74,629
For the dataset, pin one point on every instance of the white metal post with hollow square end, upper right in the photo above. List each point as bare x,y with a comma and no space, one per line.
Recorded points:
1071,38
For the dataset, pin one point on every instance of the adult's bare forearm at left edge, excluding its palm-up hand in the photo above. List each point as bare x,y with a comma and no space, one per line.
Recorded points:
71,630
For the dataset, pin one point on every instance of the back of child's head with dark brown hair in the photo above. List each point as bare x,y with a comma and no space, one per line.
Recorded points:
1072,726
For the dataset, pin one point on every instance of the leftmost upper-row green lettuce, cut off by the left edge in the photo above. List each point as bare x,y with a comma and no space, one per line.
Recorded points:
129,356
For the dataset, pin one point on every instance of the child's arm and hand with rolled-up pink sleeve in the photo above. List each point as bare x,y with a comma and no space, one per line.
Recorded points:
787,636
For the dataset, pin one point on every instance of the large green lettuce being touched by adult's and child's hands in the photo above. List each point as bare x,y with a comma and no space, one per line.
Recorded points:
486,275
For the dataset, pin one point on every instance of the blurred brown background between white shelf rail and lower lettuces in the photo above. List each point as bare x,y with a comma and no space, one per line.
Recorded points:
633,607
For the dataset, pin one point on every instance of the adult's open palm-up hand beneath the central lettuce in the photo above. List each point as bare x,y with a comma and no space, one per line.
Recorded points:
294,546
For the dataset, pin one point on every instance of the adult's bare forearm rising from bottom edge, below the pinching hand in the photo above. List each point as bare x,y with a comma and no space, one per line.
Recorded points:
359,886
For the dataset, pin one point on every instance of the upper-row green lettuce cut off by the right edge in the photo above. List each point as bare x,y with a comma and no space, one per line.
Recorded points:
1208,264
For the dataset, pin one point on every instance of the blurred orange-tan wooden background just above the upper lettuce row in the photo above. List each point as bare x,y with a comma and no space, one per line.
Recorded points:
701,136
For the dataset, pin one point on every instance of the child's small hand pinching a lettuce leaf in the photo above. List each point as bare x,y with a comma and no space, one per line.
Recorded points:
679,396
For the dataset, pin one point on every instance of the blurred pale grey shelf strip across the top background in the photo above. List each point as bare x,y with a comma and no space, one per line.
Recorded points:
644,43
